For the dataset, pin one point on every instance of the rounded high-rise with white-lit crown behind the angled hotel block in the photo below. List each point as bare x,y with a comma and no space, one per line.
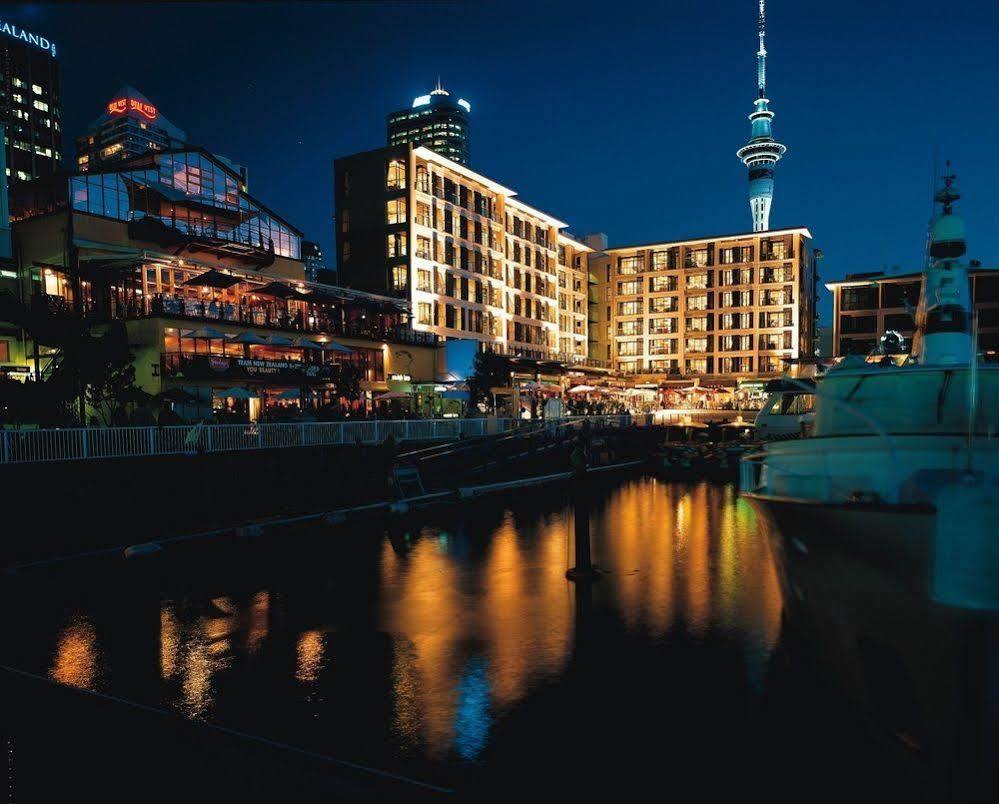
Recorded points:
438,121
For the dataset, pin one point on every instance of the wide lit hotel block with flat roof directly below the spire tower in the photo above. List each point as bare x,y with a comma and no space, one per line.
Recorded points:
732,306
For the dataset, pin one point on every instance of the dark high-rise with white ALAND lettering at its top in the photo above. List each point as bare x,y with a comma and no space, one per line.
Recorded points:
29,103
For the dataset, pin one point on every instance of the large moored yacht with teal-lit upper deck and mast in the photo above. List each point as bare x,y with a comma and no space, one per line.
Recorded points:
884,522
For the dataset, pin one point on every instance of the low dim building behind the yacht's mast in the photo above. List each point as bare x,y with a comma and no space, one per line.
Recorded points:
867,305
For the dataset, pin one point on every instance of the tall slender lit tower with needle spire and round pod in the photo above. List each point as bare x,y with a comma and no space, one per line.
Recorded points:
762,151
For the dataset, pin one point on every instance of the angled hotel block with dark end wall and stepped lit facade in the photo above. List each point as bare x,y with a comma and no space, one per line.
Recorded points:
473,260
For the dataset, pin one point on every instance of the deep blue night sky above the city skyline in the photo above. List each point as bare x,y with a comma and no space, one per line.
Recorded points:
621,117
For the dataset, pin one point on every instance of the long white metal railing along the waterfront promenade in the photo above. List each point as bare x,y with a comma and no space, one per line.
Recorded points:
33,446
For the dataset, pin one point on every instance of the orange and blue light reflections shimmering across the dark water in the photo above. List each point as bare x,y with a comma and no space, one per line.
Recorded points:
444,630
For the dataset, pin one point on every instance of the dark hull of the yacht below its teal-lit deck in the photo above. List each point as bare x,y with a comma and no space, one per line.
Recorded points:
857,581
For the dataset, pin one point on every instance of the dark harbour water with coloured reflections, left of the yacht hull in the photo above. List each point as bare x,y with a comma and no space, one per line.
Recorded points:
453,653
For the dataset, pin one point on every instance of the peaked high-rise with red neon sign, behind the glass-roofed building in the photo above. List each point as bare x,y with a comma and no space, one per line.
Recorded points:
129,126
